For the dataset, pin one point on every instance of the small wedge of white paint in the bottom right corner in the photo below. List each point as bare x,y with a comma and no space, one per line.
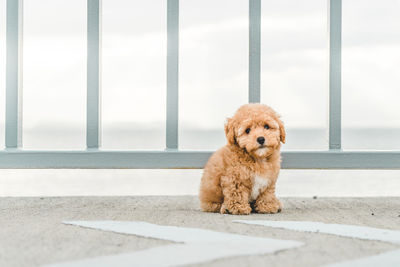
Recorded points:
387,259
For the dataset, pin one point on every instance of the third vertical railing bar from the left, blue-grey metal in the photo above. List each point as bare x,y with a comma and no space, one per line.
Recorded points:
172,74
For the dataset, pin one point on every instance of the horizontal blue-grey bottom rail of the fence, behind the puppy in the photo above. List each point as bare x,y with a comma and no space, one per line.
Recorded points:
333,159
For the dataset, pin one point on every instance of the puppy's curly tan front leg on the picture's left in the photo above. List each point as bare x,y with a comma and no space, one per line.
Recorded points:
236,196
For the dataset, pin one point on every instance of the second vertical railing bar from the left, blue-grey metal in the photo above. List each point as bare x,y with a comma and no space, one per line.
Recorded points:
93,113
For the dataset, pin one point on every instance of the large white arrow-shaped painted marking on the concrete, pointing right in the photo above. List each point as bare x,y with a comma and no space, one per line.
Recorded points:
198,245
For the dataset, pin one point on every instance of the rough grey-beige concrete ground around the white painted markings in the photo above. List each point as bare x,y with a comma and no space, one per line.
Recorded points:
32,233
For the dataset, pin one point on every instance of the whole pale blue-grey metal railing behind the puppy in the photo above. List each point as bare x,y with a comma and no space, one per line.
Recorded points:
14,157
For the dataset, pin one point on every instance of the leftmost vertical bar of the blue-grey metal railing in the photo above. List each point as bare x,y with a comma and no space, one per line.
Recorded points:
13,129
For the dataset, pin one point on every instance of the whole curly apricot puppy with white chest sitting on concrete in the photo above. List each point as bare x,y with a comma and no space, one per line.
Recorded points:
241,176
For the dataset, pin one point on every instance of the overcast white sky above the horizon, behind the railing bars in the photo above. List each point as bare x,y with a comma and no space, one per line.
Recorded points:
213,62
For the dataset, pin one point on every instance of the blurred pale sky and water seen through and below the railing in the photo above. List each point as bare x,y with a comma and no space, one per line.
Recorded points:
213,79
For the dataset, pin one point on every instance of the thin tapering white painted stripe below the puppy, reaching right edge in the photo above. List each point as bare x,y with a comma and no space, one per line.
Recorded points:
353,231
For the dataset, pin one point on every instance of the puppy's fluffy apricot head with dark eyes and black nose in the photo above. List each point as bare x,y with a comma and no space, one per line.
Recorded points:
256,128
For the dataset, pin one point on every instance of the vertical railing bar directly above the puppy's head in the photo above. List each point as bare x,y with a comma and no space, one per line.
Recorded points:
254,50
